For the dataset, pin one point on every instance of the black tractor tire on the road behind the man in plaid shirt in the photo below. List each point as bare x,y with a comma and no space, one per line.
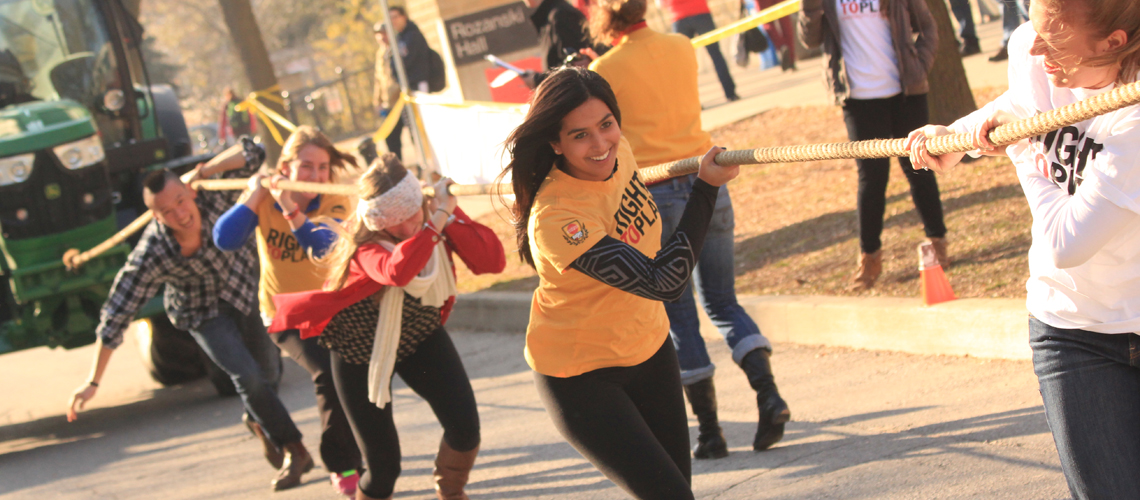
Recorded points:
170,355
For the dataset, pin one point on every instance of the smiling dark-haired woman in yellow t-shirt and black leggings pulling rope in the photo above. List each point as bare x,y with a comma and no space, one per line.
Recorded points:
598,339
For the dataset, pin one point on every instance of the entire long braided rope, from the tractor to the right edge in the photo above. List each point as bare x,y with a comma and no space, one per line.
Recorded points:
1119,99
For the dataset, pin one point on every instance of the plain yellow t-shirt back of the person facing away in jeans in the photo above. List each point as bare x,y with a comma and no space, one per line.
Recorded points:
654,77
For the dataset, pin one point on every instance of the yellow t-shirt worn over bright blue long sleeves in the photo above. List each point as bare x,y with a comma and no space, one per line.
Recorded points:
286,267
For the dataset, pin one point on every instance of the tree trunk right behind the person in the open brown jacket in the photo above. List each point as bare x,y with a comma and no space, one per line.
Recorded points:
950,96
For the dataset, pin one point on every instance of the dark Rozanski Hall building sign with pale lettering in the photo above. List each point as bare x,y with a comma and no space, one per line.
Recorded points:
500,30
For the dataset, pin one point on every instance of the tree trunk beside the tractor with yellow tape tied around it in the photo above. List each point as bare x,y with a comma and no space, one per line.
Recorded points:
259,70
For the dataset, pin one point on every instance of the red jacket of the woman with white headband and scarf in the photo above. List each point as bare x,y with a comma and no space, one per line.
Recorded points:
374,267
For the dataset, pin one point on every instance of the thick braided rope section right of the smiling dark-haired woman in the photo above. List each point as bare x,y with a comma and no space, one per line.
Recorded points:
1023,129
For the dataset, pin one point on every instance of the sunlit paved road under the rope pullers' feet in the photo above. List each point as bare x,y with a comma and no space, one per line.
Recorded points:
867,425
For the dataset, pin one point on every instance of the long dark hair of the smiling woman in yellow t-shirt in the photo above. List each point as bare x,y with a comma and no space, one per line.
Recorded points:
532,155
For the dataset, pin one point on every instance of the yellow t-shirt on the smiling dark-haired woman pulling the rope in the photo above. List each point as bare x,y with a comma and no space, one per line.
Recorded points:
577,323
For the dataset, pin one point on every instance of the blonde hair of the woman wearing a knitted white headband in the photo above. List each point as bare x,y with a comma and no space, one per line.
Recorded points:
384,175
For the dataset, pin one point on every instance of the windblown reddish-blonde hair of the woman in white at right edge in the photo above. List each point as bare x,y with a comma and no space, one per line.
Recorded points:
1102,19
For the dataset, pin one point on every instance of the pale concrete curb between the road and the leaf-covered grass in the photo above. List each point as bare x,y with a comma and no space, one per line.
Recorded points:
976,327
